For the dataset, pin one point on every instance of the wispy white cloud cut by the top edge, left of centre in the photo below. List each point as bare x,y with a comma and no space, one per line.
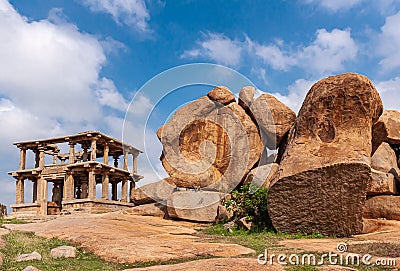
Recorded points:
130,12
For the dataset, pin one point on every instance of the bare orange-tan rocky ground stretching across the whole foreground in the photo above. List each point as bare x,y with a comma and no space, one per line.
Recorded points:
130,238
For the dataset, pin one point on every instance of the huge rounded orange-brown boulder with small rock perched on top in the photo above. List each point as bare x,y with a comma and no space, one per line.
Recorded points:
206,144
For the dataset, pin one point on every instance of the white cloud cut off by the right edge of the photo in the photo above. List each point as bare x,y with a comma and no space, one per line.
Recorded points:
389,43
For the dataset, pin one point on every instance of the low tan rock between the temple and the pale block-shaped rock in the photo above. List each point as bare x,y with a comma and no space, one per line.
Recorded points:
153,192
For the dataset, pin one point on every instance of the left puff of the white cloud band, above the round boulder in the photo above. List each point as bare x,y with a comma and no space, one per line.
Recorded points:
218,48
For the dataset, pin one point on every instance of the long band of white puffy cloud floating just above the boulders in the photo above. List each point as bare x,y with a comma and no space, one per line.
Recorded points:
328,52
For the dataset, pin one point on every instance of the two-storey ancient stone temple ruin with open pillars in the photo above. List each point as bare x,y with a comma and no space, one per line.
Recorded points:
67,180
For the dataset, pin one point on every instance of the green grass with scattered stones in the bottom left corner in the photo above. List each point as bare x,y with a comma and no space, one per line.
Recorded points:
21,243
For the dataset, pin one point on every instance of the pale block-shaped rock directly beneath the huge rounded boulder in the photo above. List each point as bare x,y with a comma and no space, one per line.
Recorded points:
200,206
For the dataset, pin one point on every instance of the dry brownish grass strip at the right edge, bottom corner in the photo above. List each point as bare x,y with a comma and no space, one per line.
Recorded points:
382,249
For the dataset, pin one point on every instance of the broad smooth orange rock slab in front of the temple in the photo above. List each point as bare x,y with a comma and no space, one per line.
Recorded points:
130,238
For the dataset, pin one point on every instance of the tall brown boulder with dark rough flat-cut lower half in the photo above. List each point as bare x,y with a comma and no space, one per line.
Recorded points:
324,171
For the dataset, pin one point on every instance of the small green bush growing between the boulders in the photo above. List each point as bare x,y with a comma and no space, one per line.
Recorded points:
250,201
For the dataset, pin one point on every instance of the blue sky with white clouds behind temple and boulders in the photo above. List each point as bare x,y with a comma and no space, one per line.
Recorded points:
73,65
